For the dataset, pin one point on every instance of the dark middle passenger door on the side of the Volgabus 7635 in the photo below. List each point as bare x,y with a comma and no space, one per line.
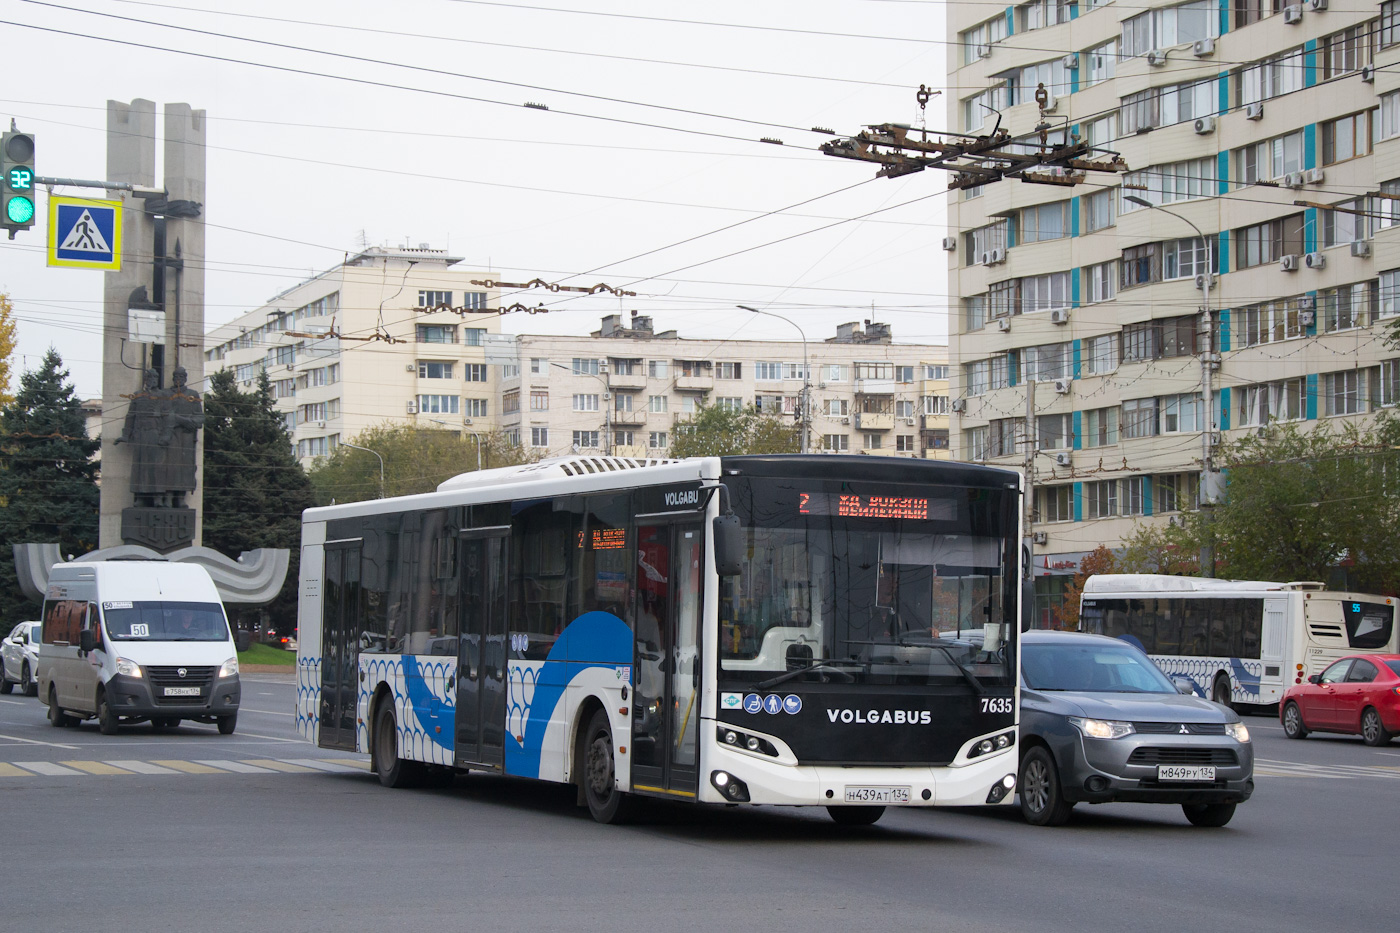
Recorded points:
481,665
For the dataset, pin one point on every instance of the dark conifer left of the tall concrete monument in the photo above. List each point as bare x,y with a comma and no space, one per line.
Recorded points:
48,478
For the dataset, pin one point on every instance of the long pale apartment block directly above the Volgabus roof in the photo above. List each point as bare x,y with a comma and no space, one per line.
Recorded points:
622,389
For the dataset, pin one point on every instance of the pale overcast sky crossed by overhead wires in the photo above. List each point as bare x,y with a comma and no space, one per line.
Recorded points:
646,172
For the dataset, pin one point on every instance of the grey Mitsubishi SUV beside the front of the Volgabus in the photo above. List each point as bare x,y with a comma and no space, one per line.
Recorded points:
1101,724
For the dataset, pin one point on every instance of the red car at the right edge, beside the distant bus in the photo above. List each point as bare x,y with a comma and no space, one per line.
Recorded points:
1357,696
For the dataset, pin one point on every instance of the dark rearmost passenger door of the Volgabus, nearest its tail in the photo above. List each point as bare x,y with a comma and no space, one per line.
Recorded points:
341,647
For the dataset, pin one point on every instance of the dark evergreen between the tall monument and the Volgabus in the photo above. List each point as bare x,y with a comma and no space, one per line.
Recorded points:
255,488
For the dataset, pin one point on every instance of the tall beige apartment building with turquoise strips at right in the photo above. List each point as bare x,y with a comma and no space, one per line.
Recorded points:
1242,272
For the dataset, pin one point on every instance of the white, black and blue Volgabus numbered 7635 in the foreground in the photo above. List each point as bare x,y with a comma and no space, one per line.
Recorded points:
782,631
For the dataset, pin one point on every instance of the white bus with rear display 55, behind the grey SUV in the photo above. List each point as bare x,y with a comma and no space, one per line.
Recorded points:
1240,642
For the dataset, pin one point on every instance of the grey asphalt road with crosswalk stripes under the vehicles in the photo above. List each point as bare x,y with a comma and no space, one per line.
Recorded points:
260,831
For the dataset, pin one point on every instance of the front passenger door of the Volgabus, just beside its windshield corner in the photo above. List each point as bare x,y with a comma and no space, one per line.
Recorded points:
667,663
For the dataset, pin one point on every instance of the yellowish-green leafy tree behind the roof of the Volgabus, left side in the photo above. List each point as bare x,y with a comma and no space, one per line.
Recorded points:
415,462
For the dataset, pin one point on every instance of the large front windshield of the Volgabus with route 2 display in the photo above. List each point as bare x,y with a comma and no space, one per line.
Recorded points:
856,586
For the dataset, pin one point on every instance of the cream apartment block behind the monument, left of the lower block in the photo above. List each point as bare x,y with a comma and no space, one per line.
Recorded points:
386,336
